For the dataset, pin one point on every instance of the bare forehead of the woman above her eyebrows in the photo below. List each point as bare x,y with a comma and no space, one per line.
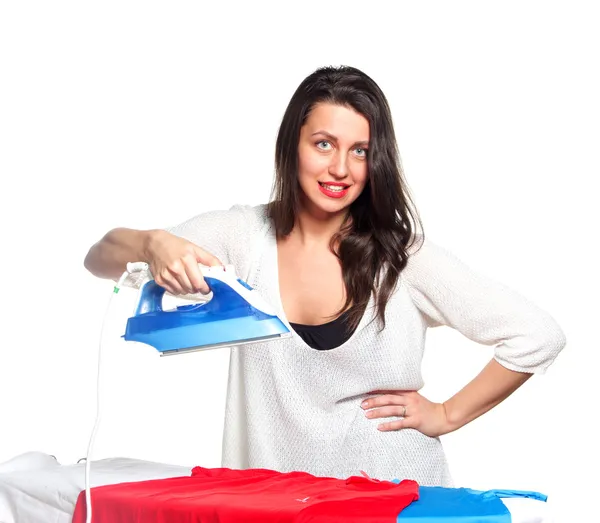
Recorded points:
340,121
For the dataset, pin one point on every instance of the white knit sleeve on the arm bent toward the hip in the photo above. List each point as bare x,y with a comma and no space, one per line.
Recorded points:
448,292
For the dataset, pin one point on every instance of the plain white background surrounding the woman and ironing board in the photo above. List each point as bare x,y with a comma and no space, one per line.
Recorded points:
144,114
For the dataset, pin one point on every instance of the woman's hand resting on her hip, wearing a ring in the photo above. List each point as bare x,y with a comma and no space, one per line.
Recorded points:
413,410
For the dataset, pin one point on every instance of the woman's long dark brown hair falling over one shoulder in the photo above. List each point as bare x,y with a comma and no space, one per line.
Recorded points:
373,243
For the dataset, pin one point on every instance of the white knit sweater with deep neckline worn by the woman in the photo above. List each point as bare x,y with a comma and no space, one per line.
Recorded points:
291,407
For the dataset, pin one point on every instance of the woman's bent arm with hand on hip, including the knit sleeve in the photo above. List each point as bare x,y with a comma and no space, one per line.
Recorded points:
526,340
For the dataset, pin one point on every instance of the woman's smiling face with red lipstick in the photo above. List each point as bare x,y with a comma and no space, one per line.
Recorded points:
332,158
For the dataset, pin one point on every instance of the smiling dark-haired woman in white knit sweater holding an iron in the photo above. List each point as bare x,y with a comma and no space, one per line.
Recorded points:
338,252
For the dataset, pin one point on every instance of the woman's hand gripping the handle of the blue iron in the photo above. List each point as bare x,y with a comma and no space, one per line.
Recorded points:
173,262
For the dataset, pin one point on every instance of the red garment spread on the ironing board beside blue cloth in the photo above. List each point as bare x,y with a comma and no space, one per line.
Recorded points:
224,495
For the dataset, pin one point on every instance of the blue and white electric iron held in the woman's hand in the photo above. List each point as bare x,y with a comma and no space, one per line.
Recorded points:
235,315
